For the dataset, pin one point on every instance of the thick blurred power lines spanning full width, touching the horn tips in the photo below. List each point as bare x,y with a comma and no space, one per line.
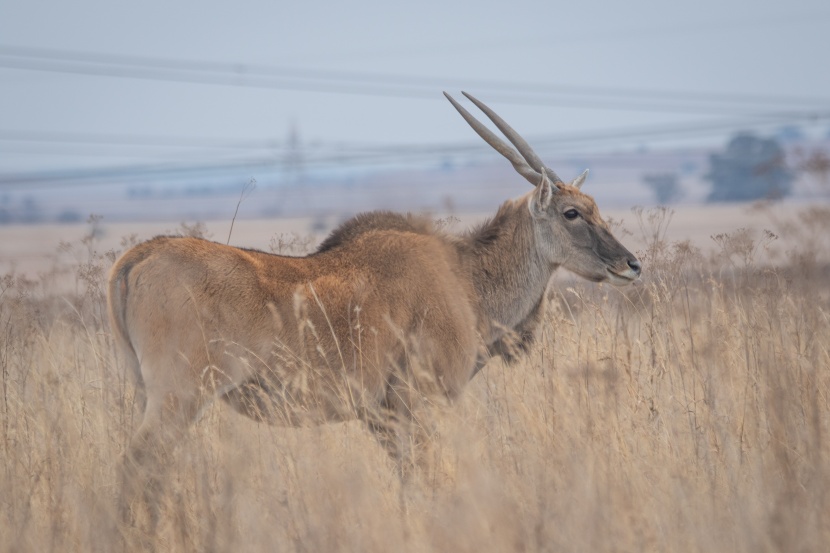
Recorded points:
362,83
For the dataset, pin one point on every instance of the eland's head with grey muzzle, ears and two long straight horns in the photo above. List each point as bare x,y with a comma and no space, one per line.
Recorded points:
567,226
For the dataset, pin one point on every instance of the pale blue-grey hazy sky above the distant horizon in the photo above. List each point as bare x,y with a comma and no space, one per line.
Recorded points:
131,83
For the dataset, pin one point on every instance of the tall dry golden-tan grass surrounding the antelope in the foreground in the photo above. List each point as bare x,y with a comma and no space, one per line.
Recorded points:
689,413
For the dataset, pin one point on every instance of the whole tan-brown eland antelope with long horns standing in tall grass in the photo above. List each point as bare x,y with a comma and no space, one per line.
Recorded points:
336,334
